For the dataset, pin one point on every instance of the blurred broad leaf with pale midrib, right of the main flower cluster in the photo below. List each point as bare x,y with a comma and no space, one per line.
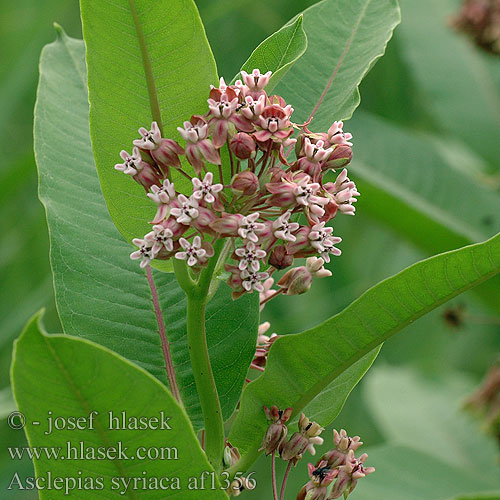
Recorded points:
408,184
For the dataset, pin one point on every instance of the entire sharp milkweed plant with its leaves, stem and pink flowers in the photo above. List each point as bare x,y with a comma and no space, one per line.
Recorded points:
228,194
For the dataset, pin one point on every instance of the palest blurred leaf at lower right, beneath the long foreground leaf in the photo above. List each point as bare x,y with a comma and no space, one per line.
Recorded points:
428,415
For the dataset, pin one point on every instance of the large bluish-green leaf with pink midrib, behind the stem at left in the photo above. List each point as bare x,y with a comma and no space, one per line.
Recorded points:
101,294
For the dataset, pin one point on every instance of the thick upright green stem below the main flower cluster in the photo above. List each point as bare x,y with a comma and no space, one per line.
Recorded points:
200,363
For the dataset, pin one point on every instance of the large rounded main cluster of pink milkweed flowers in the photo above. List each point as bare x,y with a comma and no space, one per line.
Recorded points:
244,189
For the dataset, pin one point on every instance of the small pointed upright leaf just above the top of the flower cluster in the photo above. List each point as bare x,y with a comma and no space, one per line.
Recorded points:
278,52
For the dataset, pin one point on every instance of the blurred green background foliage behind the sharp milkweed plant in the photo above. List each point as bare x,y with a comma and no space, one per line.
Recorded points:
430,123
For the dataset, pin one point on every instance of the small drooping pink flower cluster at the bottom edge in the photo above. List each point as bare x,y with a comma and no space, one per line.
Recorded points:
339,464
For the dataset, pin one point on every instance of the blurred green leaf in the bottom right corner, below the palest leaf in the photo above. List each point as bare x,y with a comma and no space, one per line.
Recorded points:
405,473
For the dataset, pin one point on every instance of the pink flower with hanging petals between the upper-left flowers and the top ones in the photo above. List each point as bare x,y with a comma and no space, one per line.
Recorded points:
198,147
